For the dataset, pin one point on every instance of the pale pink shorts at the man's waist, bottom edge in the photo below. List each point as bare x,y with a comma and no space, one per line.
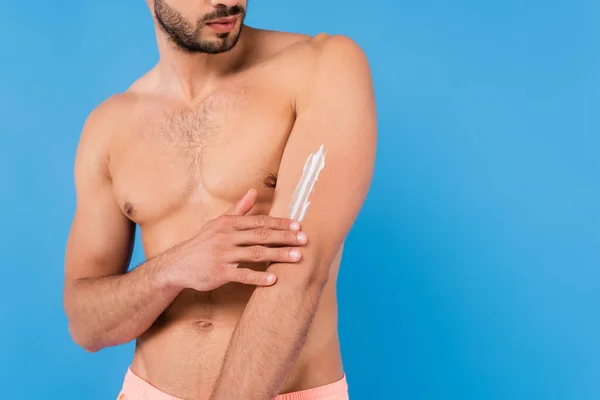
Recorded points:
135,388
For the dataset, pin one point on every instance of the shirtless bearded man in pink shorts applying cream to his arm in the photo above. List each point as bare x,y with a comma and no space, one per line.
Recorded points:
204,153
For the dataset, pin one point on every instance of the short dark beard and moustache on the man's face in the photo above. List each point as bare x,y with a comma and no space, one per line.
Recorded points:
189,38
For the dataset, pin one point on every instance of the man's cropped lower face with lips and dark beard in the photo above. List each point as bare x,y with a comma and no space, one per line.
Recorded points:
201,26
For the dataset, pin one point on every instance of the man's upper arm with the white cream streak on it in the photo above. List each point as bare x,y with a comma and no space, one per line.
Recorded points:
338,112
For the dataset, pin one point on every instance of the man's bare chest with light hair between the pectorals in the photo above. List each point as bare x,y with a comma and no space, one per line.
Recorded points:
171,158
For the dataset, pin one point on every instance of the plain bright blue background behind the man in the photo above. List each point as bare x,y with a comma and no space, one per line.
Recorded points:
472,271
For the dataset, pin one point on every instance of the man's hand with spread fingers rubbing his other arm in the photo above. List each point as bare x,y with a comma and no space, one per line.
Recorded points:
210,259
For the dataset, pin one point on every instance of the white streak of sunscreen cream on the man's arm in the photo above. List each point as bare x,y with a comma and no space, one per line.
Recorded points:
310,174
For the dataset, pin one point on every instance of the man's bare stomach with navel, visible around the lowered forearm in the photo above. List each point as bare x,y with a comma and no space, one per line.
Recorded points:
183,352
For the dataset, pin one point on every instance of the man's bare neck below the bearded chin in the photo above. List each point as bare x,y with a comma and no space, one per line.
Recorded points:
190,75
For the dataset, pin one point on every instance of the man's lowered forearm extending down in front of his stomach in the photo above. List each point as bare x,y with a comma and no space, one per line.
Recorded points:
268,338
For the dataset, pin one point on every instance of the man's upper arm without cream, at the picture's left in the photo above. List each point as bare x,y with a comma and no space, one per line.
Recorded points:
101,237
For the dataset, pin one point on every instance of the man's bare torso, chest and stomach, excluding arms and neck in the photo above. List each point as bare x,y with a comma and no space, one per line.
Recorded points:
176,166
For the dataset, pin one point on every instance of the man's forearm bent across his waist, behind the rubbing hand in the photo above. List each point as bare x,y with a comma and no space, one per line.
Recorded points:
114,310
